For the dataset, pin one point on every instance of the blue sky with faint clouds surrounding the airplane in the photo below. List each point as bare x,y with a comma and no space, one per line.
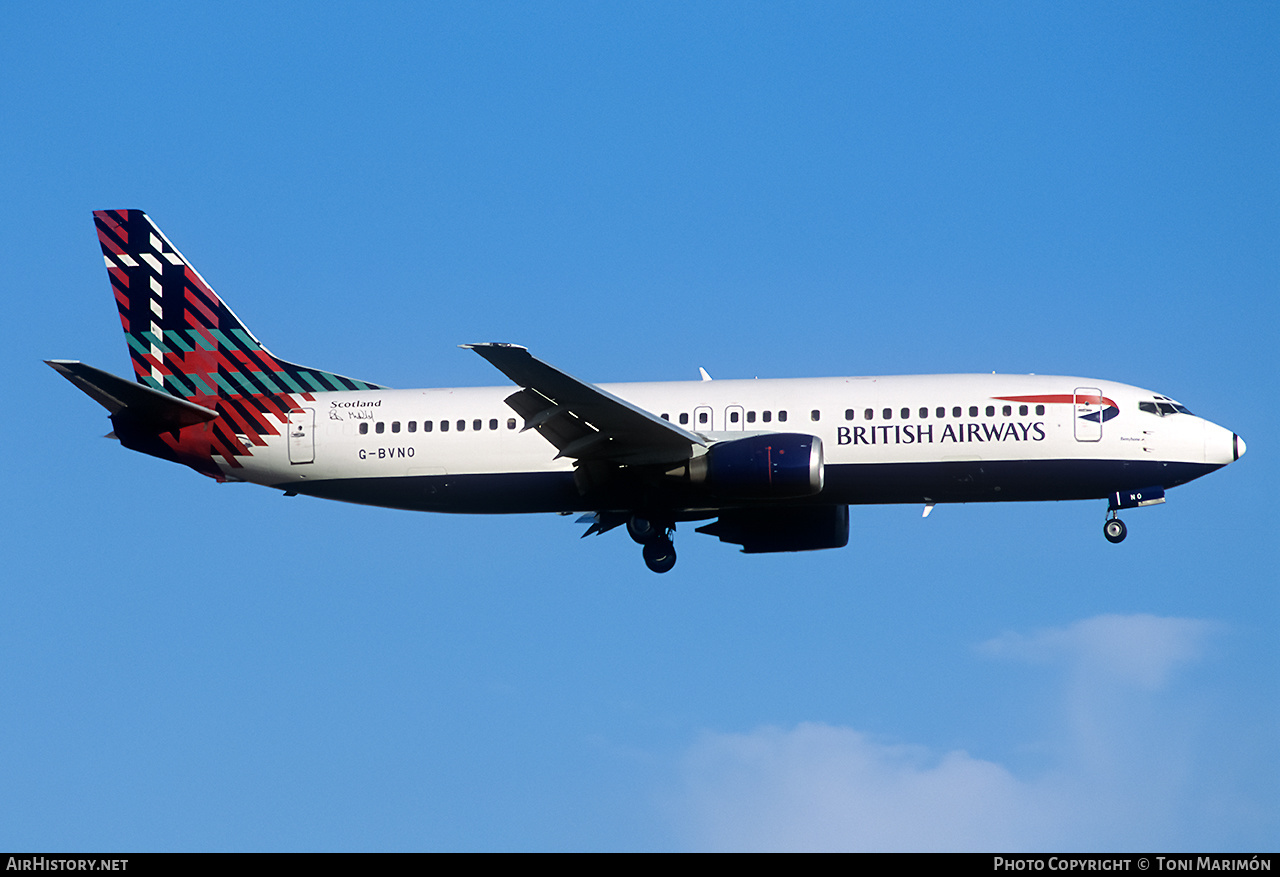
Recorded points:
636,191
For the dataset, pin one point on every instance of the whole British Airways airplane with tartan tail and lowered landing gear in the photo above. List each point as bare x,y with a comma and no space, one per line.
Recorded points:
774,465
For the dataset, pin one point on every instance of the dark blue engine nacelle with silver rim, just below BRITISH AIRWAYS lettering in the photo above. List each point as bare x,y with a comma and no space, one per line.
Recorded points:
776,465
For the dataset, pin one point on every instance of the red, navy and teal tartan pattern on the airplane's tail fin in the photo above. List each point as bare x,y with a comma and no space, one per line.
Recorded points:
184,340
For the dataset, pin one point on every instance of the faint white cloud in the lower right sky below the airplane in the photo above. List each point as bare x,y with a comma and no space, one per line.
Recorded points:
1122,753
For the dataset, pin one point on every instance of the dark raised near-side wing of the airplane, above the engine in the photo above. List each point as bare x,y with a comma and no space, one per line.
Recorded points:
582,421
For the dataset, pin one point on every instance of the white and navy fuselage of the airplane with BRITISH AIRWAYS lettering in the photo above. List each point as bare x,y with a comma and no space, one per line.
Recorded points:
930,428
